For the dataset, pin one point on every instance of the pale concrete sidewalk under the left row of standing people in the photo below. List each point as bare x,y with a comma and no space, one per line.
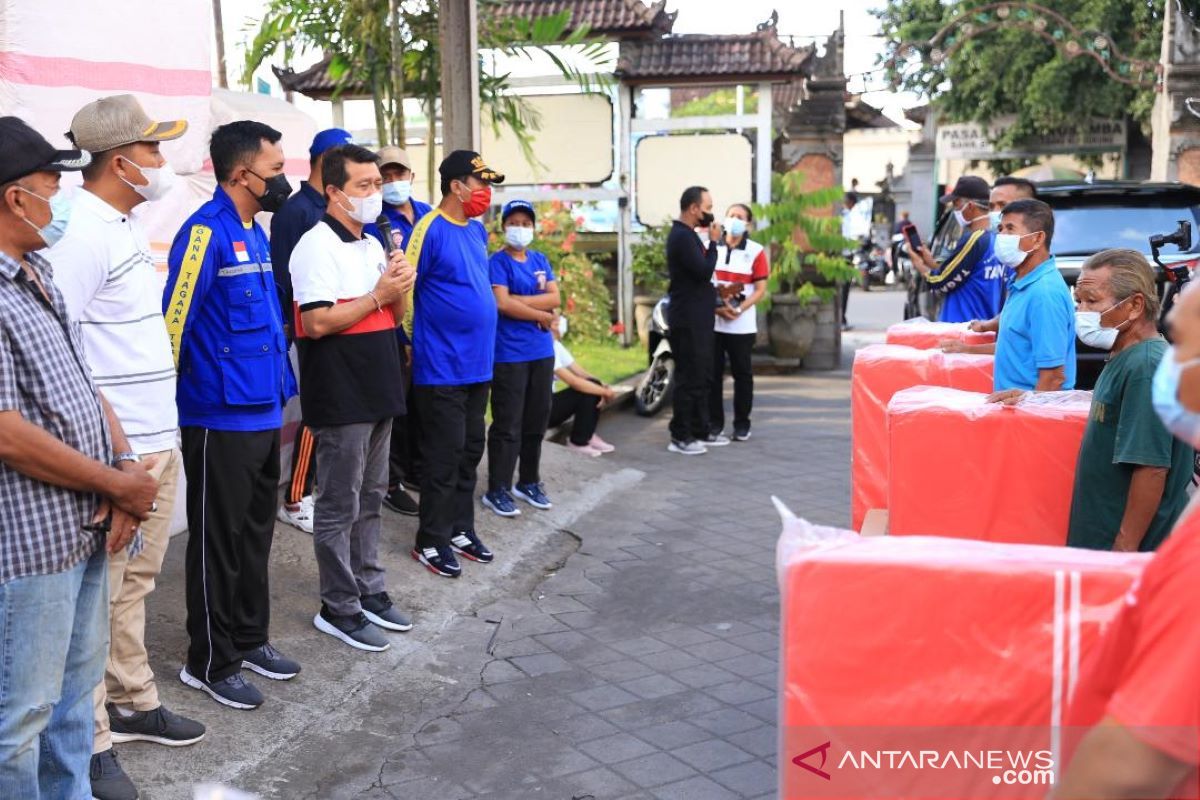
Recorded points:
349,706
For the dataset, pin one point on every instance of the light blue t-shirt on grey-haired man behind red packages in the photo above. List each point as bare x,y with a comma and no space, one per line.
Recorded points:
1037,330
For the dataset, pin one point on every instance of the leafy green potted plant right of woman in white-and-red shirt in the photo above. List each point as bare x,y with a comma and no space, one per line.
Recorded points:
807,261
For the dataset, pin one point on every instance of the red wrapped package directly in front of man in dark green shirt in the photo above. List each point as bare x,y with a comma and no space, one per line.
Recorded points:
963,467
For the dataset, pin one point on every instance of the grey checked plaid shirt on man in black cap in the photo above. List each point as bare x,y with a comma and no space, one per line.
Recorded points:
45,377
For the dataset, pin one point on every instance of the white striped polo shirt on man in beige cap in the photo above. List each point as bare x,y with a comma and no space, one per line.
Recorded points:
107,278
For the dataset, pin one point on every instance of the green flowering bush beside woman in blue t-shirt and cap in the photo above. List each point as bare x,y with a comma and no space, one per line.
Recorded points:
587,303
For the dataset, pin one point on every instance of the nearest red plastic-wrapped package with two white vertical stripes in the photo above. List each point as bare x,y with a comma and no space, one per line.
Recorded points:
897,646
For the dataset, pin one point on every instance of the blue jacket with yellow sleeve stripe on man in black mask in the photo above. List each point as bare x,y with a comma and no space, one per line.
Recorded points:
225,324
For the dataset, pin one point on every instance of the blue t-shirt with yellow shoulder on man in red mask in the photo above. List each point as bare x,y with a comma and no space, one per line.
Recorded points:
454,309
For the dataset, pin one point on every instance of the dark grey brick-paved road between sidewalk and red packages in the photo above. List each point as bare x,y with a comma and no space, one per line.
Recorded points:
646,666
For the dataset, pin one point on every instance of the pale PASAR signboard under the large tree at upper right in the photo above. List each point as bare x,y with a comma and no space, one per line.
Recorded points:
974,141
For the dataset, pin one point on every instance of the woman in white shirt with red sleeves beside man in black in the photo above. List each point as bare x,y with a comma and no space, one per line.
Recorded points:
741,279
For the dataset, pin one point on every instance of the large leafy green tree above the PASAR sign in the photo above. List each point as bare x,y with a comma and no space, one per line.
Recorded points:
1016,71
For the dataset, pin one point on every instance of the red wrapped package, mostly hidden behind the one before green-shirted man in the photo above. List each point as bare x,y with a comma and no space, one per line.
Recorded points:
880,372
